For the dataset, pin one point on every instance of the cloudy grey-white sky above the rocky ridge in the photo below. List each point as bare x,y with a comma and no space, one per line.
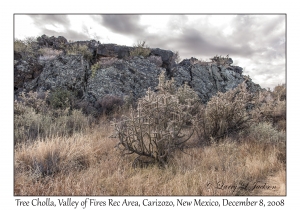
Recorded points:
255,42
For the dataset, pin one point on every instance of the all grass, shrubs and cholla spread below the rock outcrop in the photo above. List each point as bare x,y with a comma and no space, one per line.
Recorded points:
56,146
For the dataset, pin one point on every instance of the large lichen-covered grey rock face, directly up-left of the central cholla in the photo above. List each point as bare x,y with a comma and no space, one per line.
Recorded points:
123,78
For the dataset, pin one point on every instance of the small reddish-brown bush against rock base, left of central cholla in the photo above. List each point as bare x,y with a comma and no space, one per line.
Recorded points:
110,102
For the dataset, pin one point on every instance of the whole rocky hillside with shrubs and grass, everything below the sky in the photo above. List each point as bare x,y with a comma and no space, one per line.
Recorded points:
102,119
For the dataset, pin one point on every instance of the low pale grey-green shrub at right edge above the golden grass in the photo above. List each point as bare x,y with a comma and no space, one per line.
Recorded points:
265,132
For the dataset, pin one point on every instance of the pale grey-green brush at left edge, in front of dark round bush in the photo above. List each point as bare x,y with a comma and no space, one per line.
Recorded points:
31,124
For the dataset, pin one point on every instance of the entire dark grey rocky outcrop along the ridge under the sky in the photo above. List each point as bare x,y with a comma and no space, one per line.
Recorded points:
125,75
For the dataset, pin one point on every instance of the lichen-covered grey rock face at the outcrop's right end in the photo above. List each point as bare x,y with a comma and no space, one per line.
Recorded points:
207,80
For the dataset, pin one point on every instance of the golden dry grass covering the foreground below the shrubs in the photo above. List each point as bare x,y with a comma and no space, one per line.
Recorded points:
89,164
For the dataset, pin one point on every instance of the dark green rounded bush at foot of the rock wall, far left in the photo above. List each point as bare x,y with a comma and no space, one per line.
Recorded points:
61,99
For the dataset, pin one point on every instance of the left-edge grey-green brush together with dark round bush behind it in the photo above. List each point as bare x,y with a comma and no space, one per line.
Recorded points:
35,119
